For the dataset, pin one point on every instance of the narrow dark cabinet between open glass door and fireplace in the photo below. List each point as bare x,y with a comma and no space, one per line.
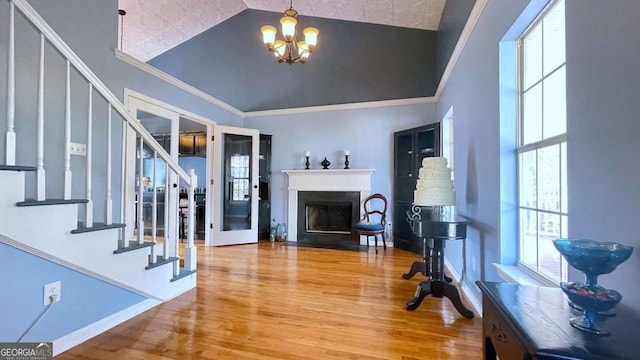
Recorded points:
264,190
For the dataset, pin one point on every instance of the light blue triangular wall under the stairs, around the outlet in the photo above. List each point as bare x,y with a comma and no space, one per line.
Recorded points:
84,300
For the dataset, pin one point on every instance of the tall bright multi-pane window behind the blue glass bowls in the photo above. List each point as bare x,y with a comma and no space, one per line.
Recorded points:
542,144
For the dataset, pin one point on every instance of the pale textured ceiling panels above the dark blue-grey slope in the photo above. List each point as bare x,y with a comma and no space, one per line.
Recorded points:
152,27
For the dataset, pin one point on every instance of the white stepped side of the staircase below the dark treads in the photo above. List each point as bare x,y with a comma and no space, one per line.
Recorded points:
46,231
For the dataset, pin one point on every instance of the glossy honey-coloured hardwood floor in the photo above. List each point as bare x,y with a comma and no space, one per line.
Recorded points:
270,301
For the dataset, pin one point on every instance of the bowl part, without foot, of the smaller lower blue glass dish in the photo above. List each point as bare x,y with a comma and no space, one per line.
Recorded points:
591,297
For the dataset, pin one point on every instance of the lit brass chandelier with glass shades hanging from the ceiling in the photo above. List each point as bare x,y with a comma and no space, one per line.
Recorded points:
288,50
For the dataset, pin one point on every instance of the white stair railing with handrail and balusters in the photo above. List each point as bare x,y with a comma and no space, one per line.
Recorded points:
47,34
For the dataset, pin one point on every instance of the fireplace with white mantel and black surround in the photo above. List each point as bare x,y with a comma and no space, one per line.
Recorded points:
330,181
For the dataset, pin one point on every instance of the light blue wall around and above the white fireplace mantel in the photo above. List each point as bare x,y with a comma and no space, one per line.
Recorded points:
366,133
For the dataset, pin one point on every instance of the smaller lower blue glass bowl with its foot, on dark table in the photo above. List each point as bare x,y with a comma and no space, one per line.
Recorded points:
592,299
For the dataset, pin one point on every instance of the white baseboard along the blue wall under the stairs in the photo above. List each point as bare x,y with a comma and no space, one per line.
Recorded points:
79,336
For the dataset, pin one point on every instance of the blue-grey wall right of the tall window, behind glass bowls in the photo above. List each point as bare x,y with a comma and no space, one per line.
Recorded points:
603,83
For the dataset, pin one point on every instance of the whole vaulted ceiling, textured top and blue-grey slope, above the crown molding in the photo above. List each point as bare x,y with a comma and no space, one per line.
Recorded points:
368,50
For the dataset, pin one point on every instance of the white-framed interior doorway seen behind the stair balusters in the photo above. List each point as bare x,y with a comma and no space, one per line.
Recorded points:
187,138
